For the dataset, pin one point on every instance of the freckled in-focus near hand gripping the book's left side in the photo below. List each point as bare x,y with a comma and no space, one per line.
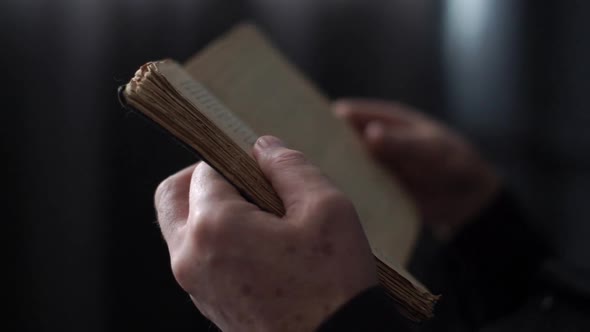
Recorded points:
248,270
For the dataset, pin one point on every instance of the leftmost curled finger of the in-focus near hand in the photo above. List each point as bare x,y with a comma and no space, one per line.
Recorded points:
171,201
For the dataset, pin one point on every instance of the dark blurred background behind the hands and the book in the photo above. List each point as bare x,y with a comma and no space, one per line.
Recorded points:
84,251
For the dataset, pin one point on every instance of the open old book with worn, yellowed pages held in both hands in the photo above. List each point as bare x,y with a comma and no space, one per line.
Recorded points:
240,86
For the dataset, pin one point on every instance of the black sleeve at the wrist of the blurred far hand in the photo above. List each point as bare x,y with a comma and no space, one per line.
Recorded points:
488,270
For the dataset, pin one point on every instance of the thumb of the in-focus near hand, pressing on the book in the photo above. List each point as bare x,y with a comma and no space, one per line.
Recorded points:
292,176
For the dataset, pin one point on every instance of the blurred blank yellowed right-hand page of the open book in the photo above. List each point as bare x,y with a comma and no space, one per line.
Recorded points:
256,83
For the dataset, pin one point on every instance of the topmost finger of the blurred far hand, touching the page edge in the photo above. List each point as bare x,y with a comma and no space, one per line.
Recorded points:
360,112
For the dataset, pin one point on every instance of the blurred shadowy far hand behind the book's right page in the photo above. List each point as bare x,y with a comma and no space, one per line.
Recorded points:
445,175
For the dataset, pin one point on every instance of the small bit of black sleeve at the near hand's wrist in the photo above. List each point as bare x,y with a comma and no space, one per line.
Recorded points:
371,310
